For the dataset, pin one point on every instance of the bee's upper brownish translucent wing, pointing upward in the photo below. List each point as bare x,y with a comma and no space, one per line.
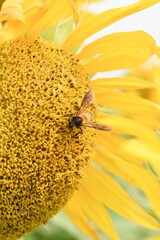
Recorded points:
87,100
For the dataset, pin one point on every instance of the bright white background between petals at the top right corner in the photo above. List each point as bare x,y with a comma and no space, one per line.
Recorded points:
147,20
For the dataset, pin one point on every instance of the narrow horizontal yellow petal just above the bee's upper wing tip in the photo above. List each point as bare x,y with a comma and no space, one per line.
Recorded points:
126,83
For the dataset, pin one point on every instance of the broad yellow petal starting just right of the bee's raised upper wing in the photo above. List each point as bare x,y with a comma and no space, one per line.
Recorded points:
130,104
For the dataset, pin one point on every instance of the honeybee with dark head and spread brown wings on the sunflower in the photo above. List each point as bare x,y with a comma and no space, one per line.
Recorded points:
83,118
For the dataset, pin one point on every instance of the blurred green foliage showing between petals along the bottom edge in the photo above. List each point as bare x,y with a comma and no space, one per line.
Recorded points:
61,228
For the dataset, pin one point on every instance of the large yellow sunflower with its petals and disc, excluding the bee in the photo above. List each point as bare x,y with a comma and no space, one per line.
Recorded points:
44,77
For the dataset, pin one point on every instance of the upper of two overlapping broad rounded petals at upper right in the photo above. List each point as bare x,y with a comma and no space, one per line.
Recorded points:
118,42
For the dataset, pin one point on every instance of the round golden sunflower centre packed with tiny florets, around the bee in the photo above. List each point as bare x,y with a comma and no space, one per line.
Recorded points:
41,160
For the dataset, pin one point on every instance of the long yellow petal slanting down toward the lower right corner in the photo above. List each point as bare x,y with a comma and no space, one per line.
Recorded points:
108,191
